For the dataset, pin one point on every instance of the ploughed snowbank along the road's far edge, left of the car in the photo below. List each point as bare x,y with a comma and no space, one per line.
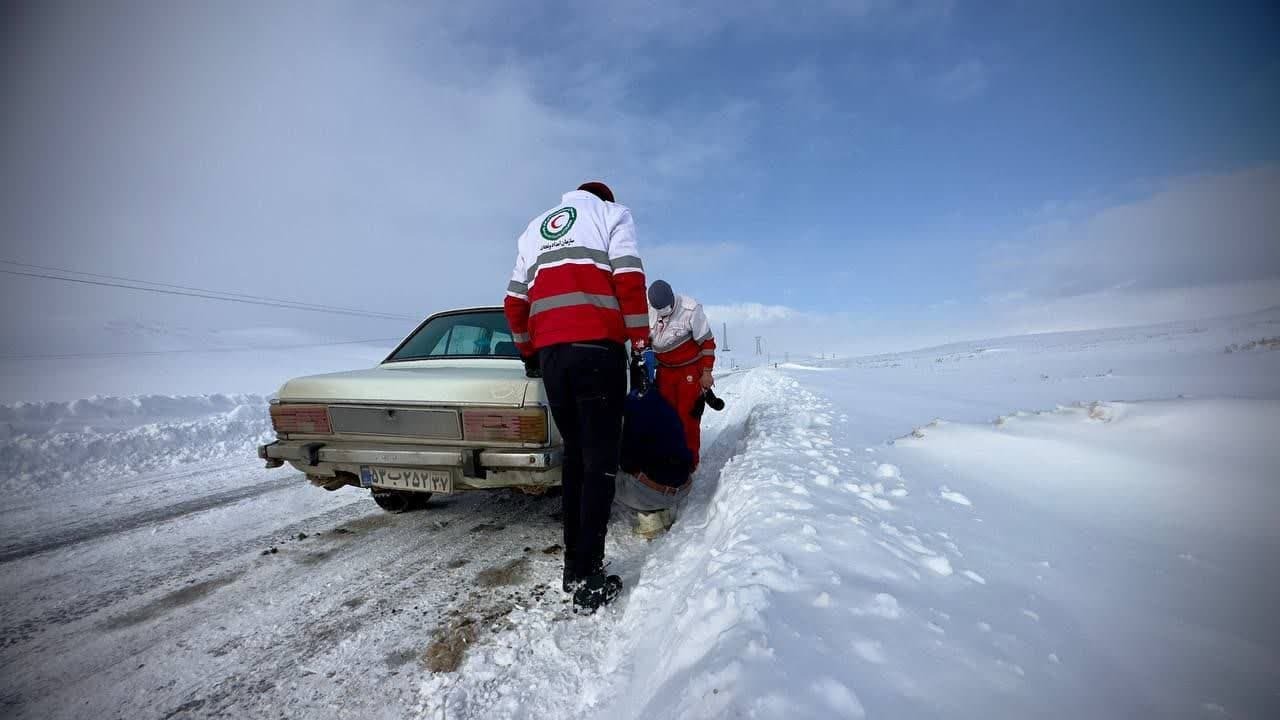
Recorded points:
51,444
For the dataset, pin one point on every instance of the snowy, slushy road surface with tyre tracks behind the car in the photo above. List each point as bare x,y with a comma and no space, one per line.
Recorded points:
148,612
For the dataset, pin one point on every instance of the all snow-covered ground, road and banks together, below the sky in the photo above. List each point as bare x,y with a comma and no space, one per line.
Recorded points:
1041,527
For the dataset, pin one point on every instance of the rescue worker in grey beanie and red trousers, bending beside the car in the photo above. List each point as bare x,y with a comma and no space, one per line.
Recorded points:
685,347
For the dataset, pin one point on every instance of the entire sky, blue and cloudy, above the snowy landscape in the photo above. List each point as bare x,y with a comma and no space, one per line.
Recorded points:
867,176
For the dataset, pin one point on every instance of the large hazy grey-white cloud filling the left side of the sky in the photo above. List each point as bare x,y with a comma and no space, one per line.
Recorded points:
350,154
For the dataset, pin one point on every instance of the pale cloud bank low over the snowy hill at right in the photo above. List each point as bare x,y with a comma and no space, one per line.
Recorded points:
1196,249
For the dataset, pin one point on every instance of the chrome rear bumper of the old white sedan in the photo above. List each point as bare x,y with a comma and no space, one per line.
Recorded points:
472,467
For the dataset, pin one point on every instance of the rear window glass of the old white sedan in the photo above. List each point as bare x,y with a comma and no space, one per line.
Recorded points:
477,334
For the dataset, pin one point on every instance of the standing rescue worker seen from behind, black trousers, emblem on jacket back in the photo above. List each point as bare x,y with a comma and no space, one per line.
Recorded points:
575,298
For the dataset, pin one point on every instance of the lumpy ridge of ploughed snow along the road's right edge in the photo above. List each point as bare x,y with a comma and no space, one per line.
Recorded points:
781,575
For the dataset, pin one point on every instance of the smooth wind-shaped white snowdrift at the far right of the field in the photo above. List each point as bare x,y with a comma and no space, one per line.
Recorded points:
1154,466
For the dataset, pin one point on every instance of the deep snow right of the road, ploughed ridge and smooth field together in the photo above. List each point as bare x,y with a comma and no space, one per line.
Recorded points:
1095,560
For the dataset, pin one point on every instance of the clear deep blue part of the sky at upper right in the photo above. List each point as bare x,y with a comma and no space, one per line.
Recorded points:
876,142
